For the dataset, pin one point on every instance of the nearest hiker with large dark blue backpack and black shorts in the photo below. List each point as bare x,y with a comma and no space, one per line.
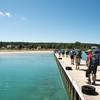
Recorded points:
92,68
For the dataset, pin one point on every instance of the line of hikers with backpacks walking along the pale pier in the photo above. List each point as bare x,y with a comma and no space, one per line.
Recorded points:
91,62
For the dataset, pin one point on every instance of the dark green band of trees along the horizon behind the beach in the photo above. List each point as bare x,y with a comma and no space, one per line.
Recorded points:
30,45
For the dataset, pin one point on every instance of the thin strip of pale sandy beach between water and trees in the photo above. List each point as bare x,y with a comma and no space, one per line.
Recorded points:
24,51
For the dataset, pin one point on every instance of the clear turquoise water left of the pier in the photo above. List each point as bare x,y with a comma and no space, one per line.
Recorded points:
30,77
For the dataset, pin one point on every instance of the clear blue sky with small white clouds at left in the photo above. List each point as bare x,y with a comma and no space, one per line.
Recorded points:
63,21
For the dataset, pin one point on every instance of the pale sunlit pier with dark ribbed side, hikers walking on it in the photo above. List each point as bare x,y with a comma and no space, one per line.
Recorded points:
75,79
